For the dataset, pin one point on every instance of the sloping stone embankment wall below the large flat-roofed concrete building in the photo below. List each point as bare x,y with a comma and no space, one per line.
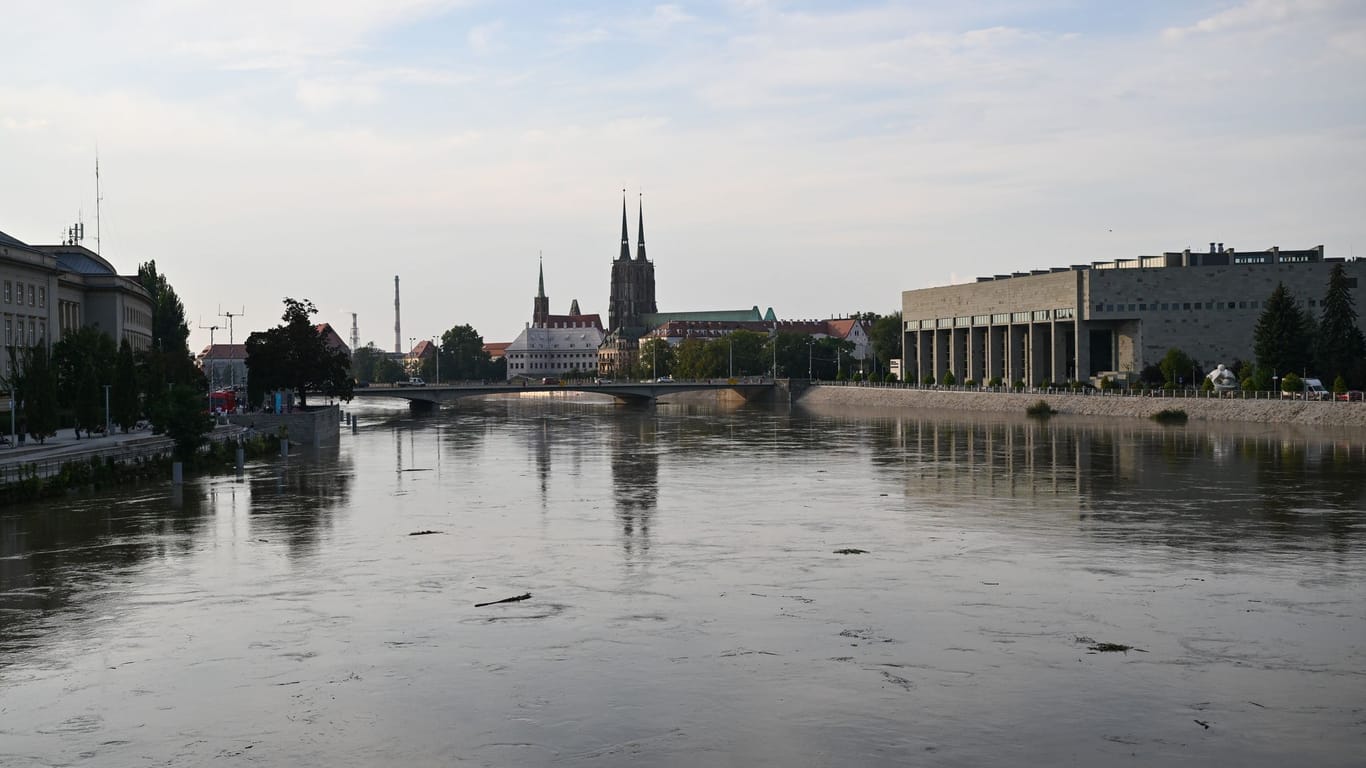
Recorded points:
1199,409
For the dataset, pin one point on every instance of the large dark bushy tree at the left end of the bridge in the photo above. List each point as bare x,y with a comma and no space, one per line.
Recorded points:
296,356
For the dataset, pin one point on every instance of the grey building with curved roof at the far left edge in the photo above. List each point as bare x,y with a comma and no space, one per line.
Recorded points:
50,290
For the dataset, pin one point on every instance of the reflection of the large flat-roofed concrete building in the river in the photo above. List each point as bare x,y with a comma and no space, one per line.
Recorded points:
1199,486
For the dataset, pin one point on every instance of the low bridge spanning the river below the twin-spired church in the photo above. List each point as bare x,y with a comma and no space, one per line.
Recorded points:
635,393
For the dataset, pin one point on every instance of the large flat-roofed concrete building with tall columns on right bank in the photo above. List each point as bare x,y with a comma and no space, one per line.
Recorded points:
1072,323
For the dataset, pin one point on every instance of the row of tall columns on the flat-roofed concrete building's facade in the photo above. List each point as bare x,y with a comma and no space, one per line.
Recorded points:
1033,353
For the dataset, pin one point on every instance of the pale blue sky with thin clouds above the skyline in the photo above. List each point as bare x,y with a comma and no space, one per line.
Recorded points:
811,156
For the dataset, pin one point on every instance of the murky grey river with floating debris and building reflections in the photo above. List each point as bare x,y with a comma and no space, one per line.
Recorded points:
688,602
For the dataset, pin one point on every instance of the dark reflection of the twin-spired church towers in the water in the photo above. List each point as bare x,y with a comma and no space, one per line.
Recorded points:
636,479
